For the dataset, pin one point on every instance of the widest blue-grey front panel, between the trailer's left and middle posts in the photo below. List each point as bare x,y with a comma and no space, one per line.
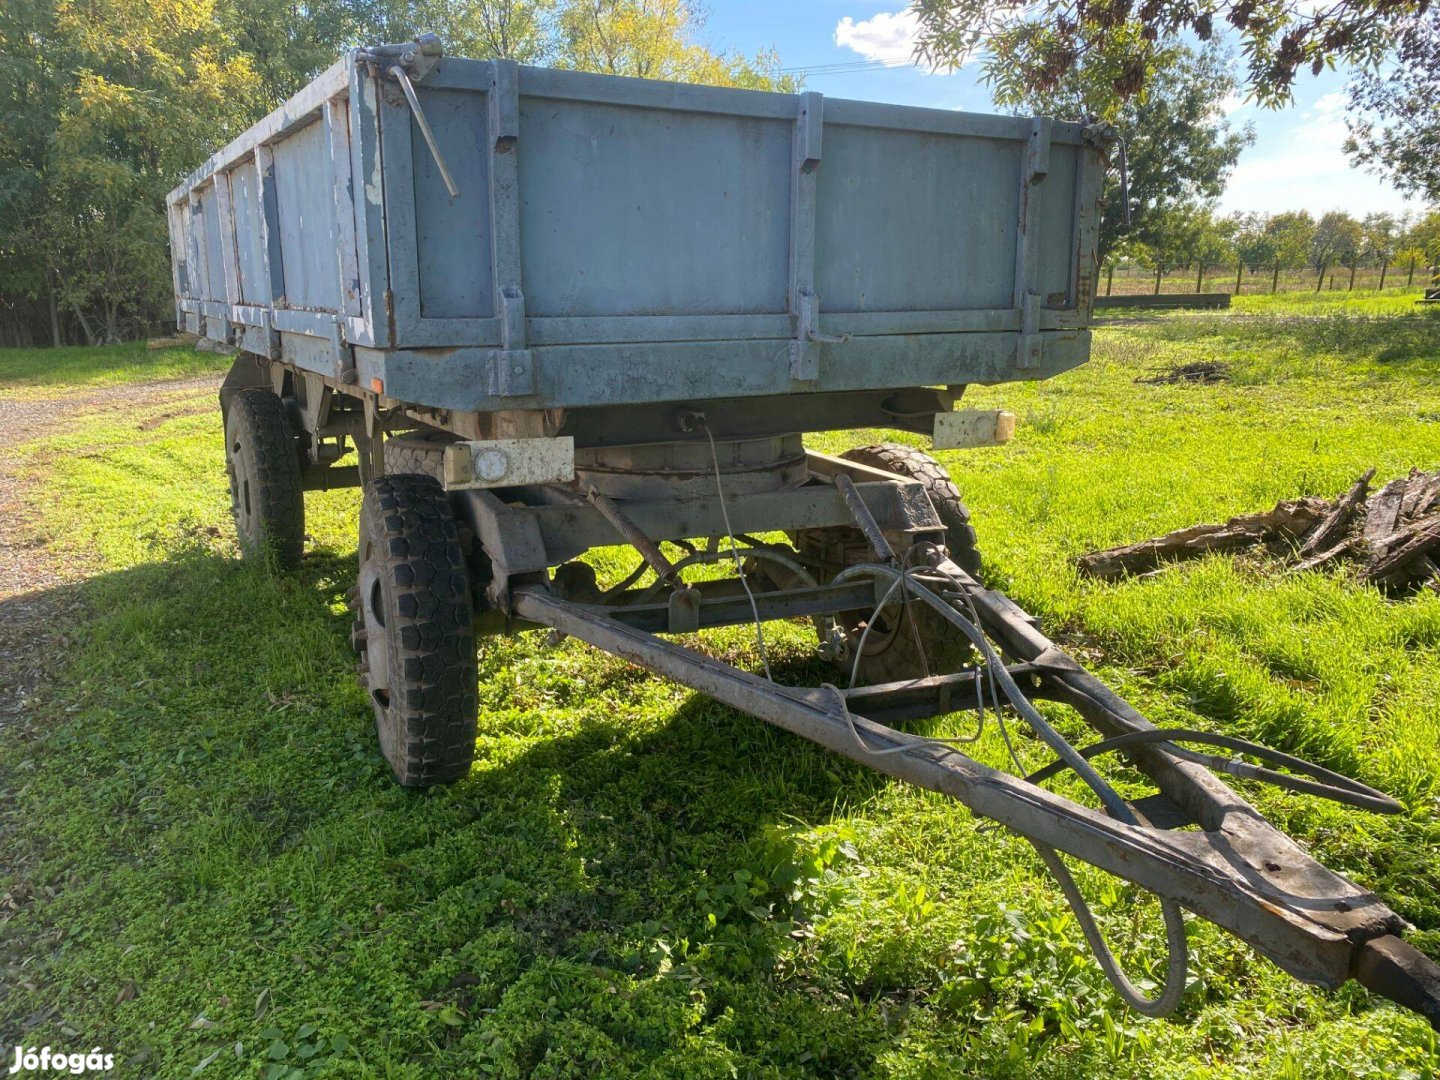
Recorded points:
652,212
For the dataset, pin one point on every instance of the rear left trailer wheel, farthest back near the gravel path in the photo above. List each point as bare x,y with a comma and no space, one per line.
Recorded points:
264,470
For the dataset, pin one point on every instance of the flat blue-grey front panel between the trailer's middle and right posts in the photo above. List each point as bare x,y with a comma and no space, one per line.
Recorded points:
915,221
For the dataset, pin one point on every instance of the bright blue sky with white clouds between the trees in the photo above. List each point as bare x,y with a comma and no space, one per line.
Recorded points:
862,50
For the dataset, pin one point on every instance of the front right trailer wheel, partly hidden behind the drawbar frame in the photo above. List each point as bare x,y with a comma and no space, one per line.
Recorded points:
892,652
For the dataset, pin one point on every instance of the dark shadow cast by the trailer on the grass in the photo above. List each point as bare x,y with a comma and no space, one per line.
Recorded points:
201,813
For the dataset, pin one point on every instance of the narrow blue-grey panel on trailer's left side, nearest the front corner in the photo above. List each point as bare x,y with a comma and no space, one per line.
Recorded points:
305,188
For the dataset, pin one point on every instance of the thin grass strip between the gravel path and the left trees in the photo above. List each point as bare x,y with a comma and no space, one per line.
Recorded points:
42,372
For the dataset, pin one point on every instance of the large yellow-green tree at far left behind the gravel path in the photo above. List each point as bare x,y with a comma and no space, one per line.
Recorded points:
107,104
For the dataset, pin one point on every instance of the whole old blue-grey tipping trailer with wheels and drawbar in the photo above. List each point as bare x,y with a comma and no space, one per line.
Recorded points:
551,312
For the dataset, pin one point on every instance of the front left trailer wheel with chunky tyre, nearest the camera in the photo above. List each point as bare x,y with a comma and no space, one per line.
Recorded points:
414,630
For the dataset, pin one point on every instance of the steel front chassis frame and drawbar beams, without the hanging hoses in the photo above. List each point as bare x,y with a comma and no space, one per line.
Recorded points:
1197,843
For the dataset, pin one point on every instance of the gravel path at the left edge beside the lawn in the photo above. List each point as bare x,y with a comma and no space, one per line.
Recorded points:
40,595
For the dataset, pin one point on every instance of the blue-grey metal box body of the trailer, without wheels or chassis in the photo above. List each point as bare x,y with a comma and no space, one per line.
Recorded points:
623,241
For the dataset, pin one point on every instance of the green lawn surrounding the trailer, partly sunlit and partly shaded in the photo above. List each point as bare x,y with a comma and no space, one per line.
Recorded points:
208,872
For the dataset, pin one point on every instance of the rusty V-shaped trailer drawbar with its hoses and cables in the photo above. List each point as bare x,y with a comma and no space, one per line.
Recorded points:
1194,843
